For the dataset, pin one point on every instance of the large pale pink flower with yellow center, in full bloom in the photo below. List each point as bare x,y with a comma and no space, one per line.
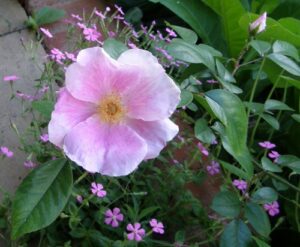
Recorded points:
113,114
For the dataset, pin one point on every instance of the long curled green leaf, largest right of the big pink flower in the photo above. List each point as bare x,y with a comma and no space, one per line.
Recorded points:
230,110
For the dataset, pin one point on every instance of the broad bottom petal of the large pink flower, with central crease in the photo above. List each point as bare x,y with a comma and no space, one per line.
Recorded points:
110,150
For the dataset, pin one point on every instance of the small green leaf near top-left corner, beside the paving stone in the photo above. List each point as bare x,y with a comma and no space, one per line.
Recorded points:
47,15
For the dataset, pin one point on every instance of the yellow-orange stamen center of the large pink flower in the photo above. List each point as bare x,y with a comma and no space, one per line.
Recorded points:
111,109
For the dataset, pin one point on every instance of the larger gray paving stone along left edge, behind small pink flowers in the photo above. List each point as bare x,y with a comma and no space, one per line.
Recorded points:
19,56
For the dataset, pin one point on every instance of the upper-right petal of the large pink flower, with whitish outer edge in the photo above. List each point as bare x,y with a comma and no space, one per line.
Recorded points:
156,96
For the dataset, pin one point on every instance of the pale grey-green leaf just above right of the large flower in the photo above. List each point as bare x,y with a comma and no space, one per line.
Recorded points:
184,51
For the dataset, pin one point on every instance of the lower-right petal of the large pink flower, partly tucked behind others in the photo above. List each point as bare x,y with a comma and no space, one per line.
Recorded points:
155,133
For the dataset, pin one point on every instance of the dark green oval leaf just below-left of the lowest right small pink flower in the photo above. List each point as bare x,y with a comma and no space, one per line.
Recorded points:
258,219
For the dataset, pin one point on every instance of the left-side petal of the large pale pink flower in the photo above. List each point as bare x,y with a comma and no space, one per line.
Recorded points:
67,113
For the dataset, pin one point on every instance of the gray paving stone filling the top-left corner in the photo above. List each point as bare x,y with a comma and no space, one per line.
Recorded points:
12,16
